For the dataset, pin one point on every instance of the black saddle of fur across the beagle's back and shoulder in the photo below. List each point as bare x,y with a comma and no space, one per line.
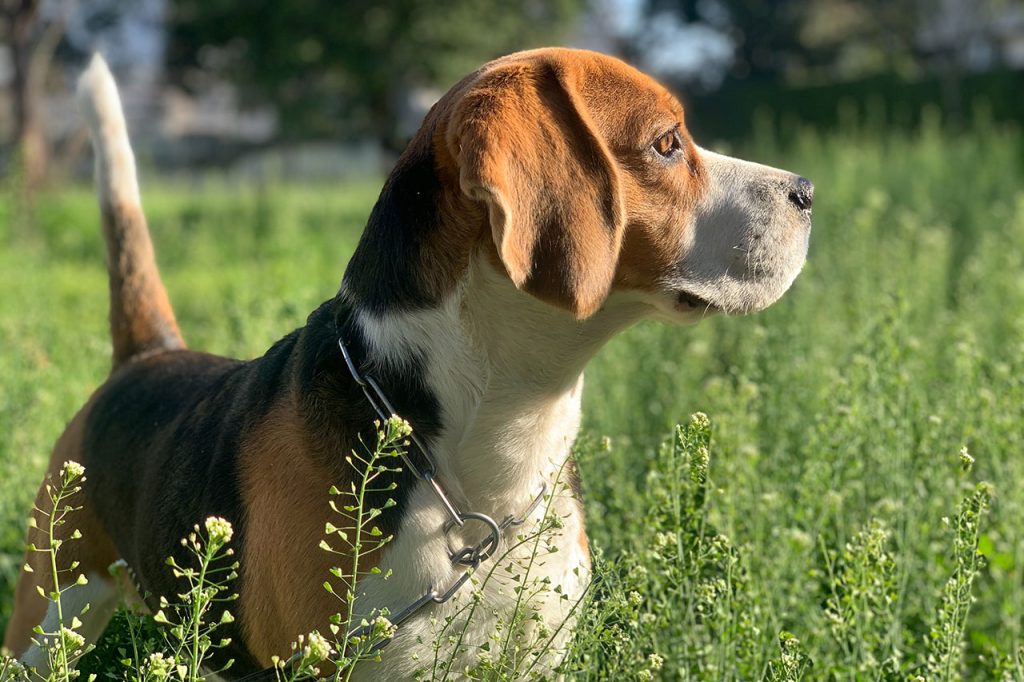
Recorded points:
162,443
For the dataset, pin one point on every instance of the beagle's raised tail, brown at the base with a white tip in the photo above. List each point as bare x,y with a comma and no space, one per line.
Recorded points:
142,319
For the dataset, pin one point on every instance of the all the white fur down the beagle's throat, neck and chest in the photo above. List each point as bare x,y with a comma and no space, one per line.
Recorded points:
507,372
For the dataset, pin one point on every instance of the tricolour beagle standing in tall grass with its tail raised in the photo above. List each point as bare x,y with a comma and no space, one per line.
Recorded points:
549,201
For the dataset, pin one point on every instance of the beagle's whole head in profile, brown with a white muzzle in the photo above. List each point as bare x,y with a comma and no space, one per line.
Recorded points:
590,184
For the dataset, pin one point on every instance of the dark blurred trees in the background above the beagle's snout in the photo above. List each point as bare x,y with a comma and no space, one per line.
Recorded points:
847,48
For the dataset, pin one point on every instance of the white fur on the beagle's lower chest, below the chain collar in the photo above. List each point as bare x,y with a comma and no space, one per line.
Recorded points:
518,602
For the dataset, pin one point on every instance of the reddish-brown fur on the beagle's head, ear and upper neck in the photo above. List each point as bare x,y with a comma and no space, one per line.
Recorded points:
560,124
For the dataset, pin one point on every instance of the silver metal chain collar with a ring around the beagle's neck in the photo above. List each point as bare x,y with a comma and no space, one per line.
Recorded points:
471,557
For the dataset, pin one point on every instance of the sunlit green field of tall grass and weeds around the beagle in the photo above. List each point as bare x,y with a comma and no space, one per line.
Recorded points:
835,508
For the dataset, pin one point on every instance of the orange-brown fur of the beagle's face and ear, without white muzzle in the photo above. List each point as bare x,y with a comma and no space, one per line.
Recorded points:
619,112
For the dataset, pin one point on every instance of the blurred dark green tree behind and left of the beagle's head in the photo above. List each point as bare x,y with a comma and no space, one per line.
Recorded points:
342,68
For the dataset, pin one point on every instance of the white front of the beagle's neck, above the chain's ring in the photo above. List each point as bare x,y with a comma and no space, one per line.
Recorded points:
507,372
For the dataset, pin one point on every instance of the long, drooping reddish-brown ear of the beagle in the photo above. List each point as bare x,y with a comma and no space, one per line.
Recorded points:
527,148
